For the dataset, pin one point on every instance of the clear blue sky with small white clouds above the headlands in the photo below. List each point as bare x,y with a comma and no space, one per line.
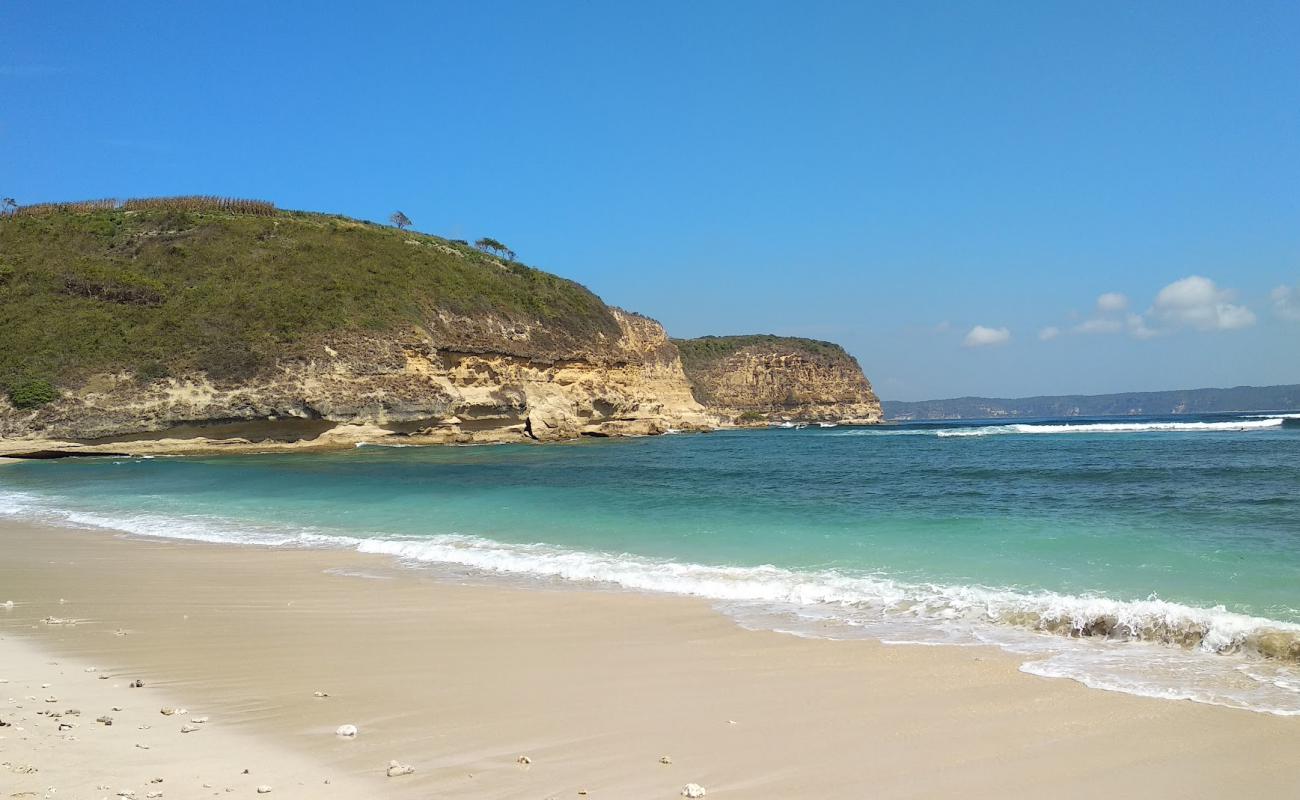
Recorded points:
935,185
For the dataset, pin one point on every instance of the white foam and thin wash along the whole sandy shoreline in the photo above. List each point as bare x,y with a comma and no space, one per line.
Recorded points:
1147,647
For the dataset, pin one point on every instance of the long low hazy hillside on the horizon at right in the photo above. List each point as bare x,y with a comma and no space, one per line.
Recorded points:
1132,404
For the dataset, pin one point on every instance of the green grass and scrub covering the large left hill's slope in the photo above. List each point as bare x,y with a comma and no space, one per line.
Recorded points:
161,289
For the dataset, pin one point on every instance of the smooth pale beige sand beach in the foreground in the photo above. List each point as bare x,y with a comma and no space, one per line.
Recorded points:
593,687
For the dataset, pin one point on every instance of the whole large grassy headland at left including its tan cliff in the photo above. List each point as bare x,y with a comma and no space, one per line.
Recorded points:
161,331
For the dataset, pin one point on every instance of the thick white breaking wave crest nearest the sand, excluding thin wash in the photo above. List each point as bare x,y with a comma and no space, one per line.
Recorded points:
1212,630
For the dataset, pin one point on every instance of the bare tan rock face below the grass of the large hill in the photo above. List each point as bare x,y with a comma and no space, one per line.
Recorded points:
460,380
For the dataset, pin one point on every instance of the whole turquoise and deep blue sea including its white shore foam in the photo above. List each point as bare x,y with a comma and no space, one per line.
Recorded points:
1152,556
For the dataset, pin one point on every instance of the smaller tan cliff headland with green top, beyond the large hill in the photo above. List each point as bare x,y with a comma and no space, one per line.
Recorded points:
757,379
